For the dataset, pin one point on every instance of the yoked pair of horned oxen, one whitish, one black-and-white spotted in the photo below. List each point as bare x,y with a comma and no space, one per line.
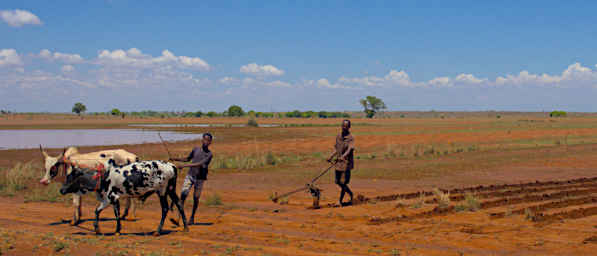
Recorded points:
113,175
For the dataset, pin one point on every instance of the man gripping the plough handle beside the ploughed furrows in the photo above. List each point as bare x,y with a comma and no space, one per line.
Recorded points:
344,151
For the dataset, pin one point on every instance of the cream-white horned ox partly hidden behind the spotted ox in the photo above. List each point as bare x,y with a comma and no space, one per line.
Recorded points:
90,160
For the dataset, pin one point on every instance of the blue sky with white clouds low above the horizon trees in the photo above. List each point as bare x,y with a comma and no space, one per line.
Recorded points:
279,55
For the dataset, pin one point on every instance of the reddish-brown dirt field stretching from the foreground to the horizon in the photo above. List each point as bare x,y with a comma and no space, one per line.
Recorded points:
534,196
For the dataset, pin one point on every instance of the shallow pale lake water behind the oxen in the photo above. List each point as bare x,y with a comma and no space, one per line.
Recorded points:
19,139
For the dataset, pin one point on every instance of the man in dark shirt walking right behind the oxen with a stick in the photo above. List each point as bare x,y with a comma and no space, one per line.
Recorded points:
200,158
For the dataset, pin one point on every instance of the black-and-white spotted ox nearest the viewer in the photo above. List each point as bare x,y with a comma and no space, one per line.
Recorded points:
112,182
